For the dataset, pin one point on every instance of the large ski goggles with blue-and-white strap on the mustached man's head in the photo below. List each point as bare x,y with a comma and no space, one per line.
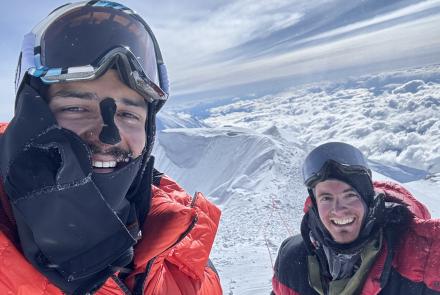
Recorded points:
81,41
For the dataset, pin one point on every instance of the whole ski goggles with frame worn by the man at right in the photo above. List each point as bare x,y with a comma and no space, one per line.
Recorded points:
333,155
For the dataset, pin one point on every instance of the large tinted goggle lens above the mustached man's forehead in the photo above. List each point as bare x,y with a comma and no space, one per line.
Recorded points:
85,35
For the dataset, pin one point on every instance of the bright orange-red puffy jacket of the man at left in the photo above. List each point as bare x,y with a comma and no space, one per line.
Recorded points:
175,269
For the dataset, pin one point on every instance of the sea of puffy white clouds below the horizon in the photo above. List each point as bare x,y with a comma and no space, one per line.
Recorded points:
392,117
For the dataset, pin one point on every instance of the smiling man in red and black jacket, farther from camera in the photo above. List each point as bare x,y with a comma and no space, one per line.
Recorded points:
357,237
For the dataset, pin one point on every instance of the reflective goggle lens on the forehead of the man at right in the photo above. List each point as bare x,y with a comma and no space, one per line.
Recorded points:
346,156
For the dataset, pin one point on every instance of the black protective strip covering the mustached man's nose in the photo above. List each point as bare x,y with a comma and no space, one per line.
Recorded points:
110,132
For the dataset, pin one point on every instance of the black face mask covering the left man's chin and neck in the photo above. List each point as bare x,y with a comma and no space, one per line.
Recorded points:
75,226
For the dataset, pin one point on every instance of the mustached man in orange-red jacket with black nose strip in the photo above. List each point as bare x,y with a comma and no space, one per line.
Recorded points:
82,208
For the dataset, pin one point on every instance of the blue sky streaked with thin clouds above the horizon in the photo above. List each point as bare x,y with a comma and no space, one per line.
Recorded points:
240,48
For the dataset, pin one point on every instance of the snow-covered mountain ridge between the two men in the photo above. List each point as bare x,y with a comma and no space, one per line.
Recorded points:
254,177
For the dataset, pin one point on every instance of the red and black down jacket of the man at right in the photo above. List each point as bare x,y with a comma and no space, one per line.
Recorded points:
413,268
